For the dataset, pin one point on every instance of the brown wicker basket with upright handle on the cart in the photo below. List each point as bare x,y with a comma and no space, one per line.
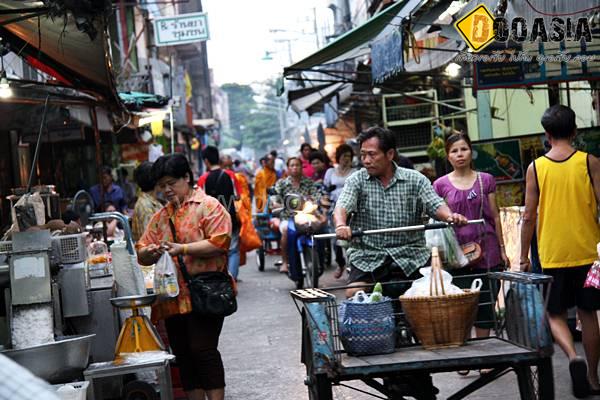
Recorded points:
441,321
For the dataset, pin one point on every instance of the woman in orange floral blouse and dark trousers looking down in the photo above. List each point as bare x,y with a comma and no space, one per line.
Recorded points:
203,229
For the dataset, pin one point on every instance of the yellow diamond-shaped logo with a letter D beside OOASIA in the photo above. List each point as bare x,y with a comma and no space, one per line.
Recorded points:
477,28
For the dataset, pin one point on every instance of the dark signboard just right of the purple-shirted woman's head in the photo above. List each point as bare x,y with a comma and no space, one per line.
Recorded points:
501,159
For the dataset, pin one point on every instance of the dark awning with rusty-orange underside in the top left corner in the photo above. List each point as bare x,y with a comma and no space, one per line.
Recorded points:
75,55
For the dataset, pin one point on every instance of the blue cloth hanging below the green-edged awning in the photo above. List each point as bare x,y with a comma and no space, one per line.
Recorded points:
387,56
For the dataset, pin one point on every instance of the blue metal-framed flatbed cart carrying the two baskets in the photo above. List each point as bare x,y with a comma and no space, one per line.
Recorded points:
520,343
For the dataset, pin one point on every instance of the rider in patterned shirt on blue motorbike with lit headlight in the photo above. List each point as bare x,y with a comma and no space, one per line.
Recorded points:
294,183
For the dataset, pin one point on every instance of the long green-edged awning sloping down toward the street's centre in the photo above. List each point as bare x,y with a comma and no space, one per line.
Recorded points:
355,43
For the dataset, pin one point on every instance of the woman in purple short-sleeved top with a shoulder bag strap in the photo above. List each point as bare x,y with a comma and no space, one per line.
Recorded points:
464,190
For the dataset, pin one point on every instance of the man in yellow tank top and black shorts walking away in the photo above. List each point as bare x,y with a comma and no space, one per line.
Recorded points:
563,186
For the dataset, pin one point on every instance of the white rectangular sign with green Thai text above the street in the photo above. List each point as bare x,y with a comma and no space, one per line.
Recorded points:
181,29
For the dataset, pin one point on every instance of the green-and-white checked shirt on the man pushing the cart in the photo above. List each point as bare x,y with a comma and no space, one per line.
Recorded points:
402,203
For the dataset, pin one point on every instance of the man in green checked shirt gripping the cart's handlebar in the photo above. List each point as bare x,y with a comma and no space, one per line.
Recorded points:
384,195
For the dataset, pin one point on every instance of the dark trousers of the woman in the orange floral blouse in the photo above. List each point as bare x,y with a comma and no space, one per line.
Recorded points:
194,340
